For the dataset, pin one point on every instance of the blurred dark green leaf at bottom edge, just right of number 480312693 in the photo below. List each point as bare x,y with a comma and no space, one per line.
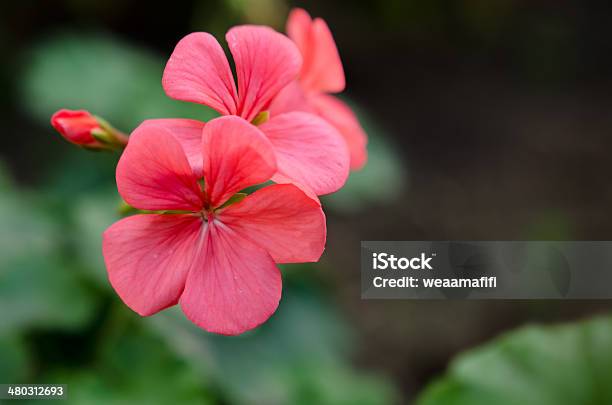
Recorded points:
139,369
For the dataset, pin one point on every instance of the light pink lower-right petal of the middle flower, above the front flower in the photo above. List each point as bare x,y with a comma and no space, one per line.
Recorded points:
309,151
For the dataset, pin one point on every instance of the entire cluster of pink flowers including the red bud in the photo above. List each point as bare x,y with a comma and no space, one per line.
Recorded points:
198,239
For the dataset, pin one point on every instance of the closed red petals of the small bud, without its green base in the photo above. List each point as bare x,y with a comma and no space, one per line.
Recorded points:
76,126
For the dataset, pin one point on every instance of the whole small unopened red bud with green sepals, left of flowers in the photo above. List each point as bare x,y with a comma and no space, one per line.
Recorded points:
86,130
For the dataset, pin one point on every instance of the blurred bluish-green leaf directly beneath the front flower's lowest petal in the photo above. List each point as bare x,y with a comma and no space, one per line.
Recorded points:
293,358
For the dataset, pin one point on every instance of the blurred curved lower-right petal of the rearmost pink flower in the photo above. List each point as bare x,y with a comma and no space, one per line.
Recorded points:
342,117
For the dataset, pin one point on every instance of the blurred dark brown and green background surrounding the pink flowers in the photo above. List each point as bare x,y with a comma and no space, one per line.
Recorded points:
487,121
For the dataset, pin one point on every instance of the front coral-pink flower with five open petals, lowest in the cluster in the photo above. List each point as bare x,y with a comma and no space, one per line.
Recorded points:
216,260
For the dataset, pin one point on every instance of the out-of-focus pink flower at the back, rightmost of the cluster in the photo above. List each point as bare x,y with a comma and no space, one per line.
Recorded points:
321,73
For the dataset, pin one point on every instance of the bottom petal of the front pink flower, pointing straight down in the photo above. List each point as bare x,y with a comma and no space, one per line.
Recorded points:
237,288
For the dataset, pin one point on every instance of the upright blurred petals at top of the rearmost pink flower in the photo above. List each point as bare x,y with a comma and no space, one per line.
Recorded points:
322,68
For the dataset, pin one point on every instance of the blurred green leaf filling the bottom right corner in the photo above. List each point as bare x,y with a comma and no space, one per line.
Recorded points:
569,364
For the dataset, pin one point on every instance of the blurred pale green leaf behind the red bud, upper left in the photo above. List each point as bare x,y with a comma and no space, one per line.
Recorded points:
118,82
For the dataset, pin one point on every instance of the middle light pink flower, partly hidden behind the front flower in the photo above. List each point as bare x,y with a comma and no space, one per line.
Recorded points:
308,150
